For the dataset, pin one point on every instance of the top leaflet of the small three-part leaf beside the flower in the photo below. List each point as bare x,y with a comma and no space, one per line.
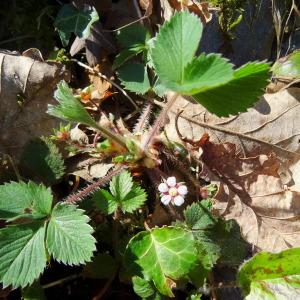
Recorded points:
121,185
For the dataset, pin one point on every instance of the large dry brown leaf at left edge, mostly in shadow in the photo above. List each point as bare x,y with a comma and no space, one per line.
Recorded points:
27,87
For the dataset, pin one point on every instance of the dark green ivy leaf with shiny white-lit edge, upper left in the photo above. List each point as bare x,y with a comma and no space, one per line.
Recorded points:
70,19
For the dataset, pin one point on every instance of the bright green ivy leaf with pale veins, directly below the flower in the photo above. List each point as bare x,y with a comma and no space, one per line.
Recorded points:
160,254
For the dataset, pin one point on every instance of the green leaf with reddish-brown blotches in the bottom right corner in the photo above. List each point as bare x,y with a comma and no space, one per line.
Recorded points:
271,276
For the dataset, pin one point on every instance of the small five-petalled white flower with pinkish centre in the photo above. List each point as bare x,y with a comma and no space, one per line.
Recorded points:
171,191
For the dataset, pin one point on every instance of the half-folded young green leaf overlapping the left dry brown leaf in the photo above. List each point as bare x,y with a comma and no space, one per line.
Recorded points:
69,108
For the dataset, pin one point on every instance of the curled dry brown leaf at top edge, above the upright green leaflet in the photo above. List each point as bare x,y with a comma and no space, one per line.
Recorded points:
200,9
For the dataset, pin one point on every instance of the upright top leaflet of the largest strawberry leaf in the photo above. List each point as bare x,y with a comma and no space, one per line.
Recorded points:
175,46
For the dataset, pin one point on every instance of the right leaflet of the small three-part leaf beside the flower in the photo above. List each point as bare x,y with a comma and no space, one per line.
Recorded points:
134,199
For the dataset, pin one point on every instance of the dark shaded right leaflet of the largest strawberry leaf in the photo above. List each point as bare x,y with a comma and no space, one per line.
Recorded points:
239,94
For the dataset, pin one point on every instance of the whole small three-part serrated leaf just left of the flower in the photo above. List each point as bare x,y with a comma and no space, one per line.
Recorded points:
125,194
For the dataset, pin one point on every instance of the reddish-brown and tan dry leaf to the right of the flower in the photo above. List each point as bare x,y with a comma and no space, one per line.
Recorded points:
252,192
